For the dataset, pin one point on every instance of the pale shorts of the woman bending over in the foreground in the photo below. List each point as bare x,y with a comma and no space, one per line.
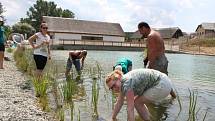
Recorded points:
160,91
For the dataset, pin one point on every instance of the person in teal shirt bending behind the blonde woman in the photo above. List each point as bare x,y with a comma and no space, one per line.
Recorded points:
124,65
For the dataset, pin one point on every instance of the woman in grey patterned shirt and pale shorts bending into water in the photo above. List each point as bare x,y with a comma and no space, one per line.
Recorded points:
139,86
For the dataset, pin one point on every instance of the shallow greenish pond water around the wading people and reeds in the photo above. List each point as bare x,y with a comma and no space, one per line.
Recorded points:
194,72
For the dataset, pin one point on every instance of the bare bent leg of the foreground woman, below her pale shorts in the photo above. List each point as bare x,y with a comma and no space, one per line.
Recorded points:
141,108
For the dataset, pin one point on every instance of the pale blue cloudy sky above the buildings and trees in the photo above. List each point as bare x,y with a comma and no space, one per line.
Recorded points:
185,14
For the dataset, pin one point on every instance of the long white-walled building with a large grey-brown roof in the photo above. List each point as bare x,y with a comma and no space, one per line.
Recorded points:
70,29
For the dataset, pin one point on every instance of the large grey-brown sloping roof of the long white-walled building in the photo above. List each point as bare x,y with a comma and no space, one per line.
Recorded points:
69,25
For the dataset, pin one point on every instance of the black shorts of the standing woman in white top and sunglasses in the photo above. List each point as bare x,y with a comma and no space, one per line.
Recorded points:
40,61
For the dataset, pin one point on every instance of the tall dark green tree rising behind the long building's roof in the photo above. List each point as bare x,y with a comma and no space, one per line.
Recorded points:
44,8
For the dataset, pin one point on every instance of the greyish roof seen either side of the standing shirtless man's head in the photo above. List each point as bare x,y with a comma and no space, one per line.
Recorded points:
164,32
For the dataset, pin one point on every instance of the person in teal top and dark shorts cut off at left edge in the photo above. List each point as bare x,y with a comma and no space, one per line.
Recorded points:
2,42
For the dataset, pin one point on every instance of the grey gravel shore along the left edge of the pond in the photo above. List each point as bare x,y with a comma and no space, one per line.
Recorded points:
16,102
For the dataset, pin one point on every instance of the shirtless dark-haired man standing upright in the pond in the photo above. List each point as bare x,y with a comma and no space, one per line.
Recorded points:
155,48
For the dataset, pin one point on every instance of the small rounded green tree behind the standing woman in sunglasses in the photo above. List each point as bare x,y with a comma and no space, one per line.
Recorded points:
23,28
